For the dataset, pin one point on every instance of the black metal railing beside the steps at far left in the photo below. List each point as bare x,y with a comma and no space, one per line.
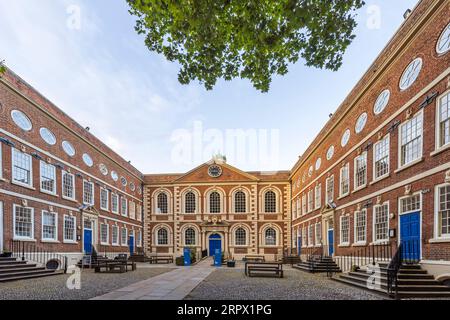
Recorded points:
31,252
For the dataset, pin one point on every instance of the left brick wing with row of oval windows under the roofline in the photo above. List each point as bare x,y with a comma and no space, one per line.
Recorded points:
60,187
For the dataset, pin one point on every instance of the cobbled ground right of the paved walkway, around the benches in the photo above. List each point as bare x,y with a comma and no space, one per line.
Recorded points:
232,284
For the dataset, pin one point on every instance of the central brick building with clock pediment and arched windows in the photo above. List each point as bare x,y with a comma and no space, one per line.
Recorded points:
214,206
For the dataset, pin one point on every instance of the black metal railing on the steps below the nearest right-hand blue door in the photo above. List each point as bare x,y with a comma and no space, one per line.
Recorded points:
408,252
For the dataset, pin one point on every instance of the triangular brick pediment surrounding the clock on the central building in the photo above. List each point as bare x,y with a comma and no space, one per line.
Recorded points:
228,173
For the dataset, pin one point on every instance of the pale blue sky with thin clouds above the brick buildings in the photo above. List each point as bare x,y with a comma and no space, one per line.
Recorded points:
98,70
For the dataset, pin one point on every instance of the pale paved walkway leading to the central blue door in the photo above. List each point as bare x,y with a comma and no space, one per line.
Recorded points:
173,285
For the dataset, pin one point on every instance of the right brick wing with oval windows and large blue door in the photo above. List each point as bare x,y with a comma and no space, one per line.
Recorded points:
379,170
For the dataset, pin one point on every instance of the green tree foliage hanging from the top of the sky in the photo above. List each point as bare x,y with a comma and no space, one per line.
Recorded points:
252,39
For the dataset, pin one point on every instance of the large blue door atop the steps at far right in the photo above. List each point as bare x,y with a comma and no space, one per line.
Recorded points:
410,236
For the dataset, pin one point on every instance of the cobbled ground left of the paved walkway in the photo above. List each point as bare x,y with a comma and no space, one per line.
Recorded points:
92,285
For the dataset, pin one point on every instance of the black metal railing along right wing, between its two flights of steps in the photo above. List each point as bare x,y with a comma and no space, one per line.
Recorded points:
364,256
